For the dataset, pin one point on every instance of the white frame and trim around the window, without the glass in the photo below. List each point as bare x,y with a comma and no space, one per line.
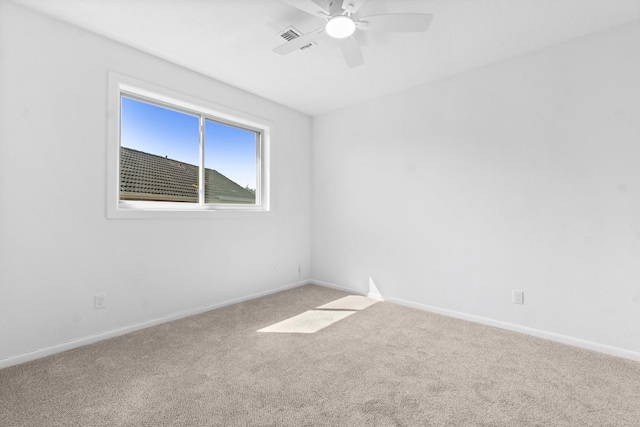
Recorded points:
123,85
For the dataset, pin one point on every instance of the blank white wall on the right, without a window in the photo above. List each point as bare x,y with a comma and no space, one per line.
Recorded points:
520,175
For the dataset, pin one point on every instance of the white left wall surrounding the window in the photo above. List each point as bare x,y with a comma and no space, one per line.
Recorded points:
57,249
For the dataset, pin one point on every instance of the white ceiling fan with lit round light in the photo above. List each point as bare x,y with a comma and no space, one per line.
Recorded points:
342,22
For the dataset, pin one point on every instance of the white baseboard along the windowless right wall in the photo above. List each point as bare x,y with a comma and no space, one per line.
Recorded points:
564,339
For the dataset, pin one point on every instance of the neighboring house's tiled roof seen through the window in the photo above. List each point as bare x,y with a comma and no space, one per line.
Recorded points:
145,176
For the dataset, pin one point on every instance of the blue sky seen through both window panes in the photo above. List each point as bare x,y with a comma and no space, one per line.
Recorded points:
157,130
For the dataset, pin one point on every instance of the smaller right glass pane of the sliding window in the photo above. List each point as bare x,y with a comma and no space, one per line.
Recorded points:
230,162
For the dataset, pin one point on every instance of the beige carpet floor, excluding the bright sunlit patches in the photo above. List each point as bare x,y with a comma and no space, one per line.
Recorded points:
386,365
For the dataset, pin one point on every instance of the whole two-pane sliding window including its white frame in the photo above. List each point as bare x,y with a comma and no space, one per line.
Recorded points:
176,154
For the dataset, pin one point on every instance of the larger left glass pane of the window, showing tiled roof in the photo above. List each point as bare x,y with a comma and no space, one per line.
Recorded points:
159,153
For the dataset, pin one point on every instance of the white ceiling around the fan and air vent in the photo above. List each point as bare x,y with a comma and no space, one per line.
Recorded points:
232,40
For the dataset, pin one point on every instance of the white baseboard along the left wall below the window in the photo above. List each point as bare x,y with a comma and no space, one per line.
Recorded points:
58,348
